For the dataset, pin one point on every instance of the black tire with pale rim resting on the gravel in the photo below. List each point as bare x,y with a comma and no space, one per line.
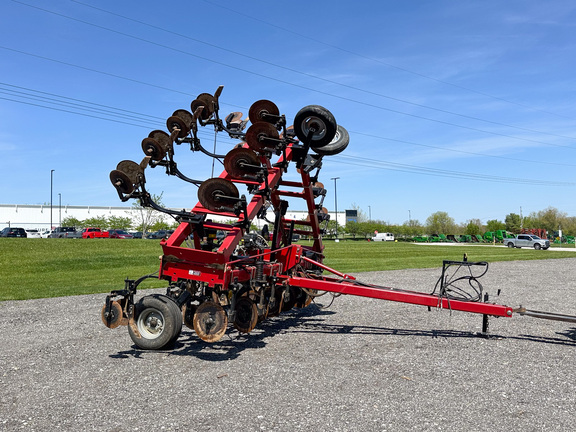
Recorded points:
158,320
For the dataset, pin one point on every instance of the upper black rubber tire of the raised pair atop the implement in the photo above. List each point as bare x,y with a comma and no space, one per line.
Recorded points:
321,119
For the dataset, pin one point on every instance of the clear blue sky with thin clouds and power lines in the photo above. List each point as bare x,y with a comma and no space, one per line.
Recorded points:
466,107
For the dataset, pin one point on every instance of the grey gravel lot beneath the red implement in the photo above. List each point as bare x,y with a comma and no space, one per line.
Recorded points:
361,365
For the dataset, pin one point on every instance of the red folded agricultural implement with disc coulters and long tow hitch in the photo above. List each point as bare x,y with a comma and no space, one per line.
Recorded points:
246,276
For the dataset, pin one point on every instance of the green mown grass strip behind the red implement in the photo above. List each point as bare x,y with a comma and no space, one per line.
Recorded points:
41,268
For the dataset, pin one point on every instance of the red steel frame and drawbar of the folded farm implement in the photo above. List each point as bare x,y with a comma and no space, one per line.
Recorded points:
217,270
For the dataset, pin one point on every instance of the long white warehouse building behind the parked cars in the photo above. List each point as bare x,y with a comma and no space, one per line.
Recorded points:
39,216
